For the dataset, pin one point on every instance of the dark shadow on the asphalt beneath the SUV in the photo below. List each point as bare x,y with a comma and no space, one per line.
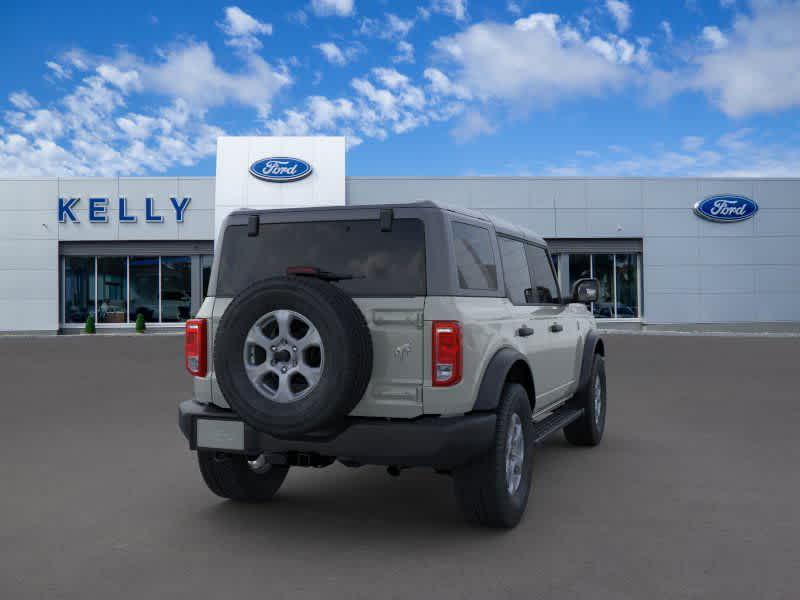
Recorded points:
360,505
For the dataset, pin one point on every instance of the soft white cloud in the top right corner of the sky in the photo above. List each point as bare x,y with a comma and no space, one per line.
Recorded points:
758,70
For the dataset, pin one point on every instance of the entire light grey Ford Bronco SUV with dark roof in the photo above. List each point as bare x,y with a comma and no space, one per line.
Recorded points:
399,335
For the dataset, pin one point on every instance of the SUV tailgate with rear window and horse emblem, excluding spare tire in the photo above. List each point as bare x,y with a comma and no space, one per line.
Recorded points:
382,269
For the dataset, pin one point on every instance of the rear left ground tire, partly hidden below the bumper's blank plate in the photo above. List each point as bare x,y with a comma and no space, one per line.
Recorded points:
229,476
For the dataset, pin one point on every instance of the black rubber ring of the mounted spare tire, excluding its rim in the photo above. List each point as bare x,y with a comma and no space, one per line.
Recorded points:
347,360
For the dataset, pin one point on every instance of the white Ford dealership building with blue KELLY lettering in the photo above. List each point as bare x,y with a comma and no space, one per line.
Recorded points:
668,252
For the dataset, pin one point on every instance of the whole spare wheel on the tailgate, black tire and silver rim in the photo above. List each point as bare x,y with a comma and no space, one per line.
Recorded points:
293,355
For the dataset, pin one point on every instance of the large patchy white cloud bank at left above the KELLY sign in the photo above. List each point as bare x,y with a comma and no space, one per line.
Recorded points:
89,129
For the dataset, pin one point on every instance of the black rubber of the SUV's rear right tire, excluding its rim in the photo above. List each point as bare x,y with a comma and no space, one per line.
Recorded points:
482,487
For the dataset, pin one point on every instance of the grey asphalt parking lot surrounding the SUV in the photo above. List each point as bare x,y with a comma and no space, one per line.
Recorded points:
693,494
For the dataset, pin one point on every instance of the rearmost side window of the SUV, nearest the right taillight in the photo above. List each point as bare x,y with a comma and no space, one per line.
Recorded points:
474,257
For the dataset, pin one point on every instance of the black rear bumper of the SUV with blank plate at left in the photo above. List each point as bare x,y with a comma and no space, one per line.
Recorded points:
442,442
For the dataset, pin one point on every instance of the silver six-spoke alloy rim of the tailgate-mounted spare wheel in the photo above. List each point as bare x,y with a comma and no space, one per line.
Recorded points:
284,356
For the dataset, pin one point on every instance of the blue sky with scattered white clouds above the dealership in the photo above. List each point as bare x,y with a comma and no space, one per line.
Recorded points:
438,87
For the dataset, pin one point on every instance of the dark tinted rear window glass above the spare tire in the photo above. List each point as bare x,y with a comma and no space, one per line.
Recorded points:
384,263
